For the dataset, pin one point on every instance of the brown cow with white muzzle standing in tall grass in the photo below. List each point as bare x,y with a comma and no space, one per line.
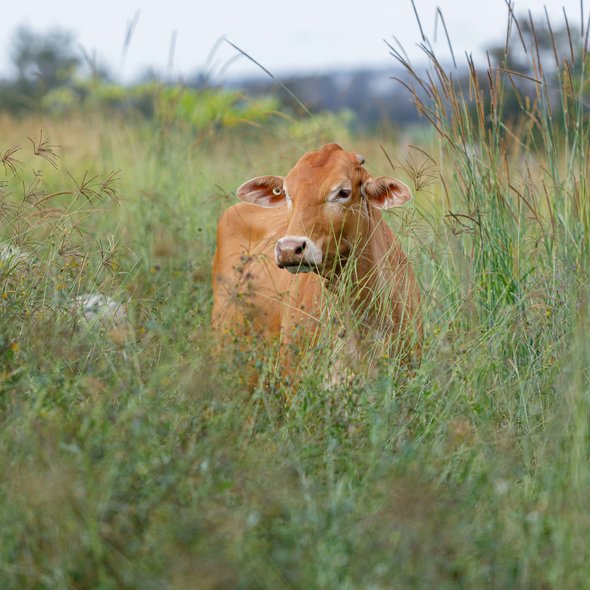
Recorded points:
296,241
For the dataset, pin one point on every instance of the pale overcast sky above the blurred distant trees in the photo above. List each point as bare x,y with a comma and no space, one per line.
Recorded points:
307,35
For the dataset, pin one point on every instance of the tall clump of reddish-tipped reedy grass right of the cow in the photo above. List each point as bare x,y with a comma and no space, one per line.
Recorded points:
516,188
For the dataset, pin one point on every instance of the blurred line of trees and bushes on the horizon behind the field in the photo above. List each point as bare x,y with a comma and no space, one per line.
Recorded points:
50,74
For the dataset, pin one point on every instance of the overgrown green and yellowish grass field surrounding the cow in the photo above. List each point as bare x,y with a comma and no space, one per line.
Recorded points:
134,455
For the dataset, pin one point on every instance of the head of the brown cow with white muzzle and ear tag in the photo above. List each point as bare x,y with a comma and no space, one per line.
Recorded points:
328,194
